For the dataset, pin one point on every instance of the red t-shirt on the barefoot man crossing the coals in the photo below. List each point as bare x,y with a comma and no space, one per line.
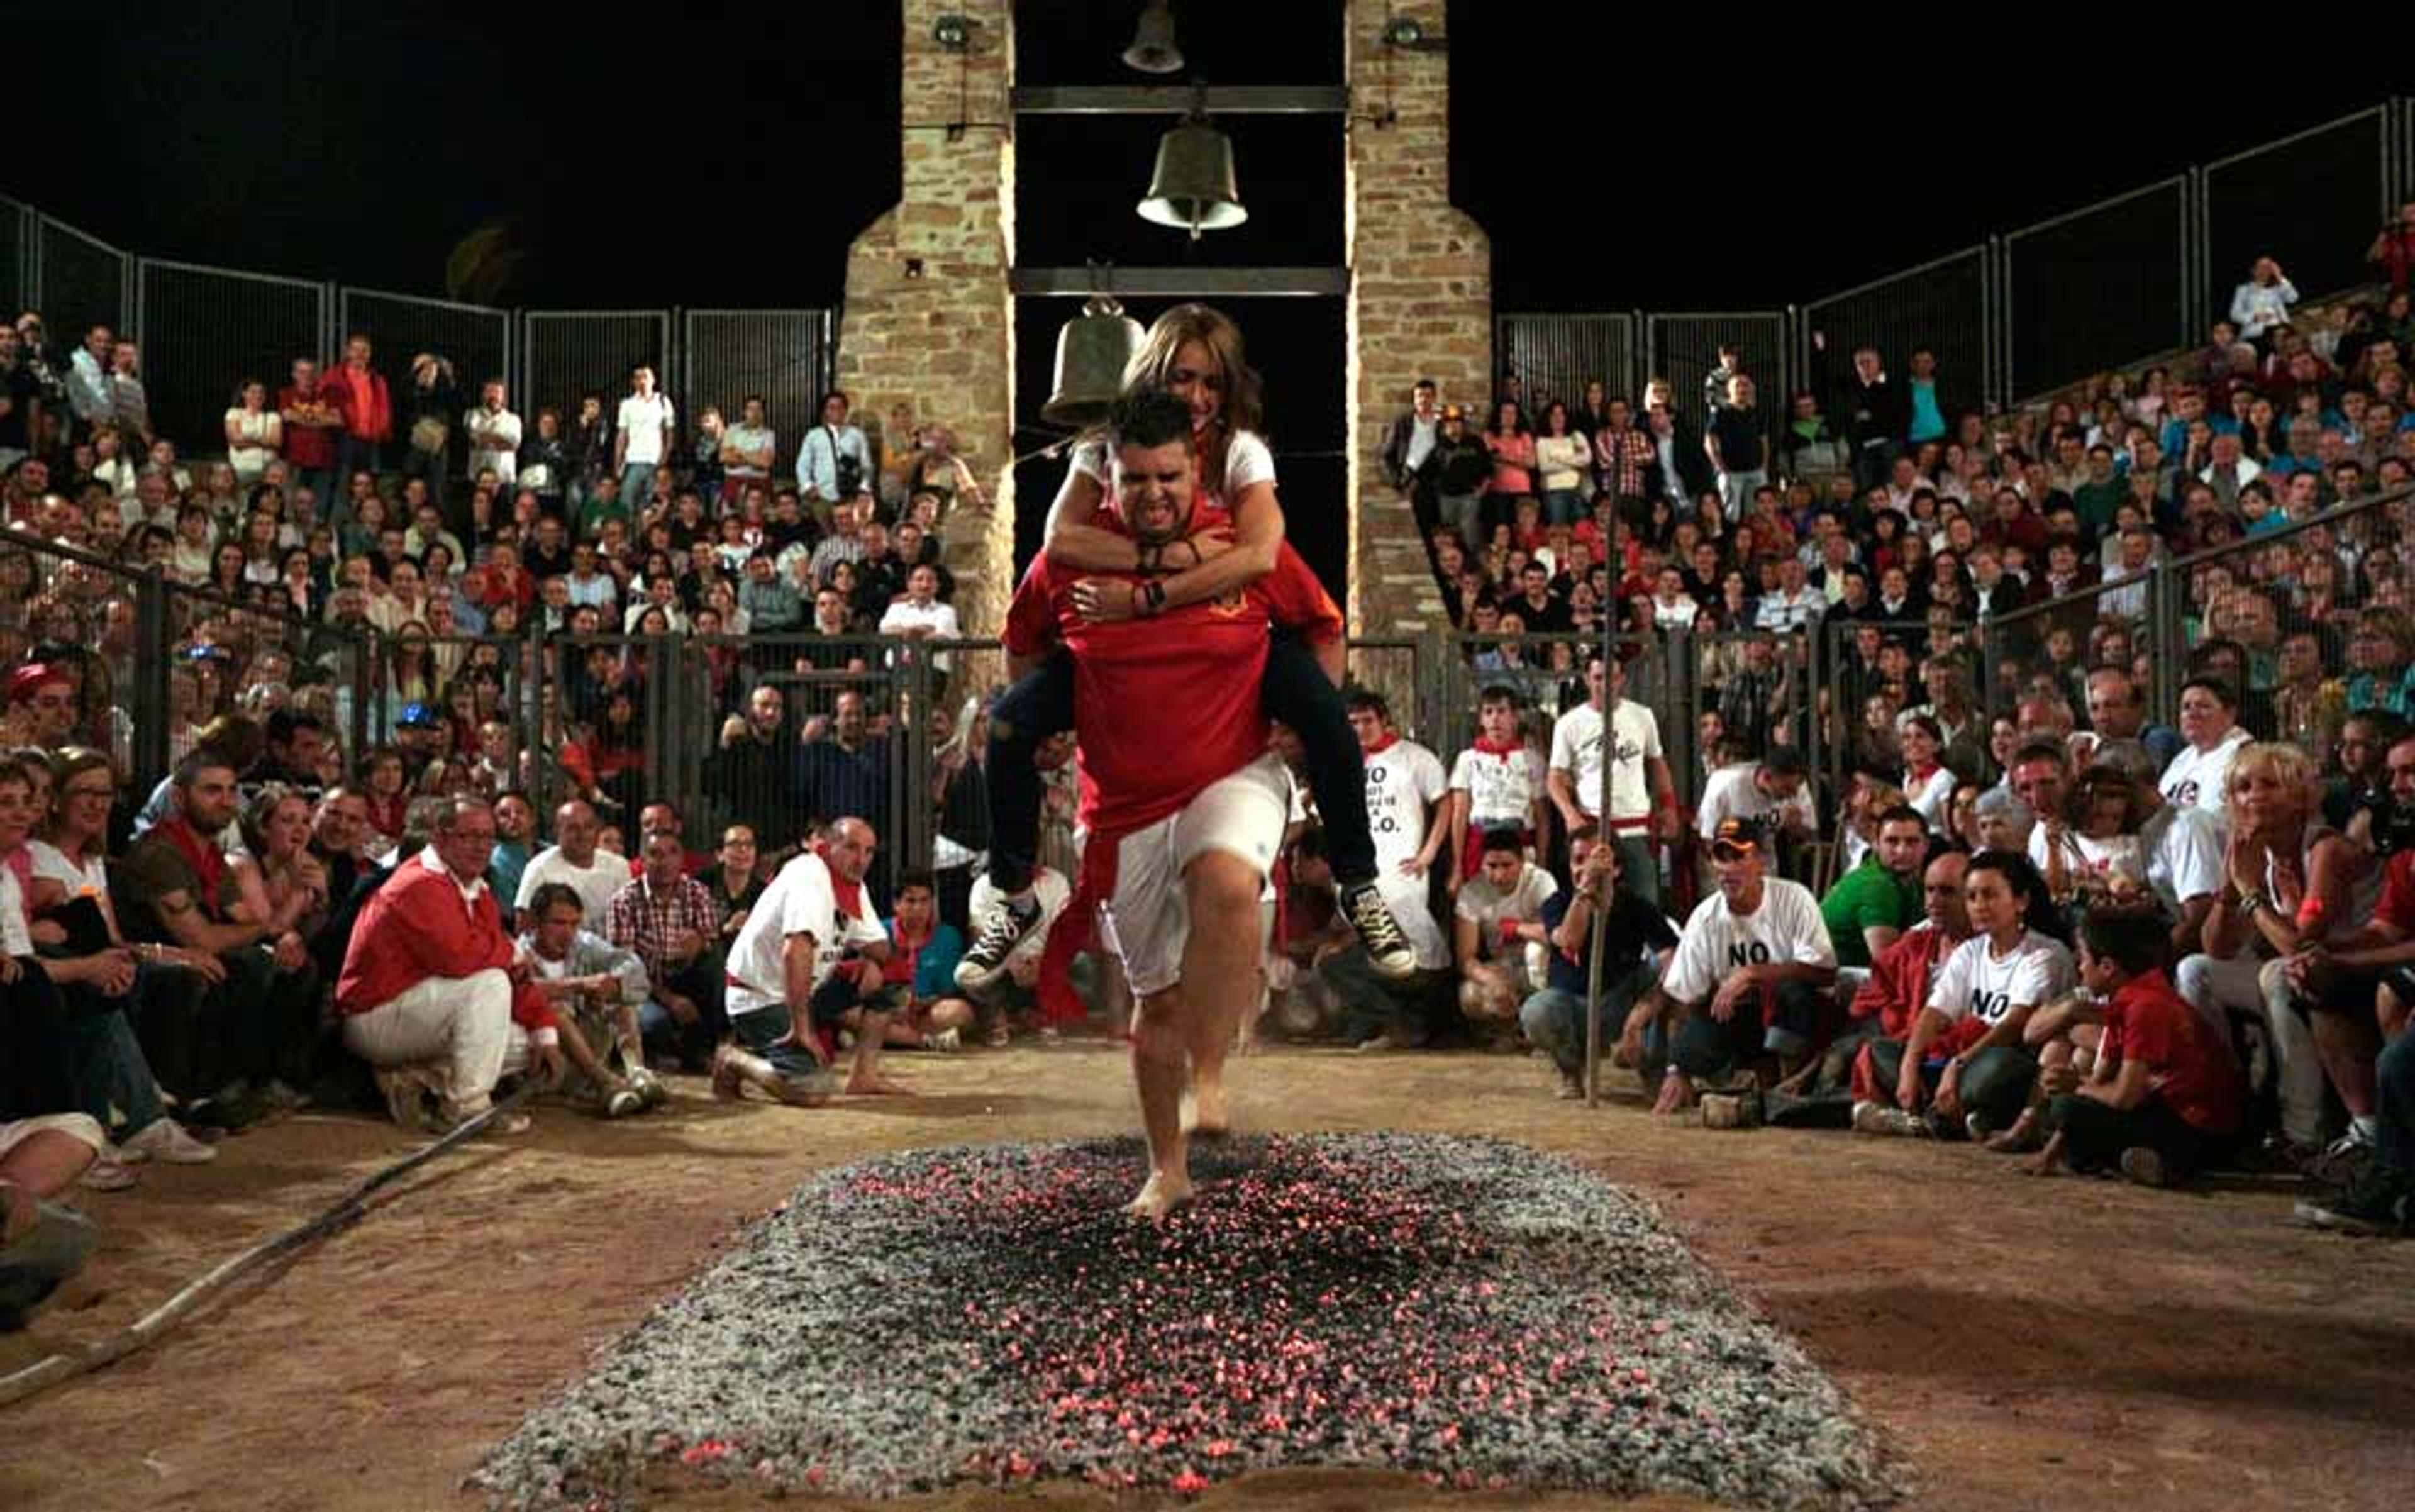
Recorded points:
1168,704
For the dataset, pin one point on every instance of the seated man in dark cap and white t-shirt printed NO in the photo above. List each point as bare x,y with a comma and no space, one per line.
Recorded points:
1750,972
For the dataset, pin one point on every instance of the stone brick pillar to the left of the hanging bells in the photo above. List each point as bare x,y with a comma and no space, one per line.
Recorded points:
943,342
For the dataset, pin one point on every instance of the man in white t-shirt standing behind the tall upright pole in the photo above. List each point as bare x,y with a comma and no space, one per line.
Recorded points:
1610,740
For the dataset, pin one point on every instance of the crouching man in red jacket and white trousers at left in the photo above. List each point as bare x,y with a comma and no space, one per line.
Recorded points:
431,977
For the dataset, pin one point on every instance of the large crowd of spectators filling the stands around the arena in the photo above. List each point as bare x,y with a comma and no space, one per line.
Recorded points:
2037,912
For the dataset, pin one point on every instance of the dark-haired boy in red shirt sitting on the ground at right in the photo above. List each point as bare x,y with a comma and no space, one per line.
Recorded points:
2165,1095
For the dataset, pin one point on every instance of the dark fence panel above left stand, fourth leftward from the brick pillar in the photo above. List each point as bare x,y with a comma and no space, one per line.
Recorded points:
206,330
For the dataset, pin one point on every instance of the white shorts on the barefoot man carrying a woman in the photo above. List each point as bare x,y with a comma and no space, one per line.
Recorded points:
1148,921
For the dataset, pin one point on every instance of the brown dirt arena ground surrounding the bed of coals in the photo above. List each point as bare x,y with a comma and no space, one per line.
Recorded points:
2020,1344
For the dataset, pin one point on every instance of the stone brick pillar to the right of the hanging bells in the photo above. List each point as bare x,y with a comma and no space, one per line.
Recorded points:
1421,301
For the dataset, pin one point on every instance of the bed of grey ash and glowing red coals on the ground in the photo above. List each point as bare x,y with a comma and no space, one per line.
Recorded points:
1462,1310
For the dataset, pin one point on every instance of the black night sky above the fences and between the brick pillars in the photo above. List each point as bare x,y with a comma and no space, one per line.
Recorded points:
726,156
